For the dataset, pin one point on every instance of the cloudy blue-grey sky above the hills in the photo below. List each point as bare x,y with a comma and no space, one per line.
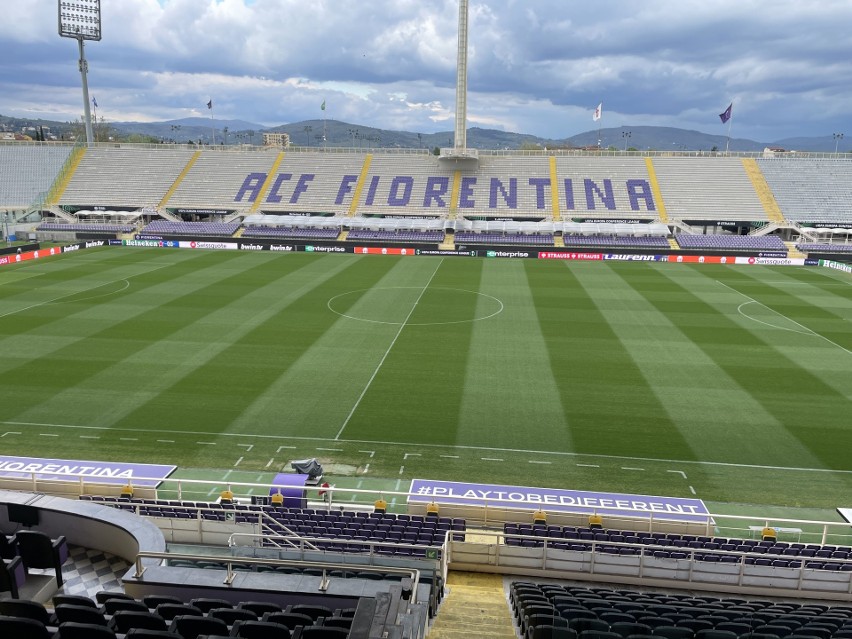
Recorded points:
535,66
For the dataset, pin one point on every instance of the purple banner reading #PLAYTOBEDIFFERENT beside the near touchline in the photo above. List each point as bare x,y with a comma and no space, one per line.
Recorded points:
557,500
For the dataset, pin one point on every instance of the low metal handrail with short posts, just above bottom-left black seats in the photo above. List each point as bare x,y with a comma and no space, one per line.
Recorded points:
229,561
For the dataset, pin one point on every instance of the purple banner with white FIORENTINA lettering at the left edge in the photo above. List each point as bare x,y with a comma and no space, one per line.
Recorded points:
95,471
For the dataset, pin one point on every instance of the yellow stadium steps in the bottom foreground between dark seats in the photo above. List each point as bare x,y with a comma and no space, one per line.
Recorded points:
475,607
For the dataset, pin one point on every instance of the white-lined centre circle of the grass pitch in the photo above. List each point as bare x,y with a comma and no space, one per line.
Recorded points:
394,304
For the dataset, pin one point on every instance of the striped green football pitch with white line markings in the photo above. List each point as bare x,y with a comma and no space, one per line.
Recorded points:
731,384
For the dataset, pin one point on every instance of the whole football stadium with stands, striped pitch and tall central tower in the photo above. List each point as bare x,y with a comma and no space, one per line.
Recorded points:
306,392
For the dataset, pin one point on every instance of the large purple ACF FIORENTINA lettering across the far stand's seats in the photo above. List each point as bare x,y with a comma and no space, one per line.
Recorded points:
474,192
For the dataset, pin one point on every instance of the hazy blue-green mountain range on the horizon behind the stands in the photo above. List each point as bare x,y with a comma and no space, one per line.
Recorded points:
334,133
